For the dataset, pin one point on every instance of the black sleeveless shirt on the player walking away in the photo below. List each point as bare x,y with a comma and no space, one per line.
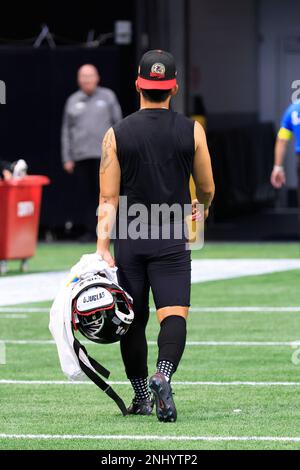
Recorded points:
155,148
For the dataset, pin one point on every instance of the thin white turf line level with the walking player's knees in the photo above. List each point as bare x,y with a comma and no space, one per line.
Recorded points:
192,309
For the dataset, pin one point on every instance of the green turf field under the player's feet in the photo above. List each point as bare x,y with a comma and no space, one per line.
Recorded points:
244,381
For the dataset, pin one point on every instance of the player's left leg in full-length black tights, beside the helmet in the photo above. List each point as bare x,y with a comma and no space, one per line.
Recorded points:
133,278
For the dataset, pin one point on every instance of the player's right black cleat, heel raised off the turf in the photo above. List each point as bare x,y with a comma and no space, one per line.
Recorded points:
165,406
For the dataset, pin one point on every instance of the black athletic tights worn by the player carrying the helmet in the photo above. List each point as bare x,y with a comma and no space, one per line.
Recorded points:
165,266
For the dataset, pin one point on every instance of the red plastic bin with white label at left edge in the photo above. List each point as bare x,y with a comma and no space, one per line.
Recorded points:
20,203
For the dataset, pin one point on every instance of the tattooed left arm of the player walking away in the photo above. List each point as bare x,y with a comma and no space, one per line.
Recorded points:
110,179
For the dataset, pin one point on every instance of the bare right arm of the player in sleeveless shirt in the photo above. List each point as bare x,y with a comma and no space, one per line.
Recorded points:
202,169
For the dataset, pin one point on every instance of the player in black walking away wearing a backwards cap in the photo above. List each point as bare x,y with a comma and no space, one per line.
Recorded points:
149,158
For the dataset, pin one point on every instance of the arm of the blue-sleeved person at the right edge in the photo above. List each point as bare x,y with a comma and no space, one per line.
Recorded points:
284,136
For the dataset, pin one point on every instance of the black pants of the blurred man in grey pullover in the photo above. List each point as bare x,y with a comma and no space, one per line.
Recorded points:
87,192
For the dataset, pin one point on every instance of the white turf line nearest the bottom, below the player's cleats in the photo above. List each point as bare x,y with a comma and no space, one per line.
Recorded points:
149,438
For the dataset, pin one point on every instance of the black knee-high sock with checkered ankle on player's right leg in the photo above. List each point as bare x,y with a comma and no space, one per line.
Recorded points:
171,344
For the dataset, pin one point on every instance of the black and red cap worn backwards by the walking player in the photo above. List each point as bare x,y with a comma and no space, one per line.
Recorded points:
157,71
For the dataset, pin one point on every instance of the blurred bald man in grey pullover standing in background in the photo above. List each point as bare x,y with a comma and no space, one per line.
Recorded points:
88,114
